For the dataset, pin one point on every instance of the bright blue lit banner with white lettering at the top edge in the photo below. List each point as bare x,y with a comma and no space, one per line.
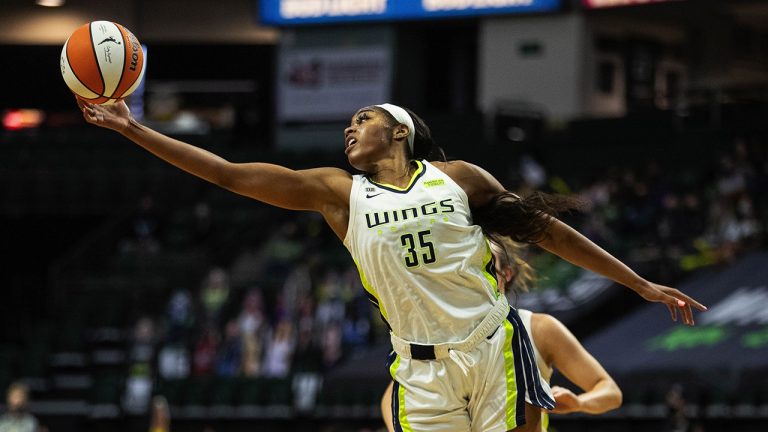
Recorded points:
296,12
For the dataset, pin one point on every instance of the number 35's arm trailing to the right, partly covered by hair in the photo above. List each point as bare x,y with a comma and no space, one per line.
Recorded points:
562,240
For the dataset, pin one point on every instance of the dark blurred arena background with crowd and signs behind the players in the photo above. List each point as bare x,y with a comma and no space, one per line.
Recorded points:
133,293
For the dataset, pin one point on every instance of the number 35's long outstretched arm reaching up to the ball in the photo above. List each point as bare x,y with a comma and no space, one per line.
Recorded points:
322,189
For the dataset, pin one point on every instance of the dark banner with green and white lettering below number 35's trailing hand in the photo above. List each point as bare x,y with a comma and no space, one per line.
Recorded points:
730,337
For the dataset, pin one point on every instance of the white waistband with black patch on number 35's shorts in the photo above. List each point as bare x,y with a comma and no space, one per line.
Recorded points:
487,326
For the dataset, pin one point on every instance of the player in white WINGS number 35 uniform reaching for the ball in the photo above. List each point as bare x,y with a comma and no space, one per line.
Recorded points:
408,225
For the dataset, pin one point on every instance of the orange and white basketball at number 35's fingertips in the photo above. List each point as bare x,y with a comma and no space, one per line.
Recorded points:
102,62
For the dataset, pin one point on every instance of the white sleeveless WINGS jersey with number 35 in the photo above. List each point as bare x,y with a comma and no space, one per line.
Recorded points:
421,260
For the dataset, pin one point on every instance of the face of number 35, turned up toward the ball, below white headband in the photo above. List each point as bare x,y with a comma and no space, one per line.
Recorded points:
367,139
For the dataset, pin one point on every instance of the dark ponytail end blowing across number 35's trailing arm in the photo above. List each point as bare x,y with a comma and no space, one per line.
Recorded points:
524,220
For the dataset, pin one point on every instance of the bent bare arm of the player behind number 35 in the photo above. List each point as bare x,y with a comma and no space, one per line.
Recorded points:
560,348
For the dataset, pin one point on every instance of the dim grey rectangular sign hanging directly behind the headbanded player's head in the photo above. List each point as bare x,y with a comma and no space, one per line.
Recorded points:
331,83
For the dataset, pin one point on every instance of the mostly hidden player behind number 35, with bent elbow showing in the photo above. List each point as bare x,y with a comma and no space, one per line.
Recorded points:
553,346
